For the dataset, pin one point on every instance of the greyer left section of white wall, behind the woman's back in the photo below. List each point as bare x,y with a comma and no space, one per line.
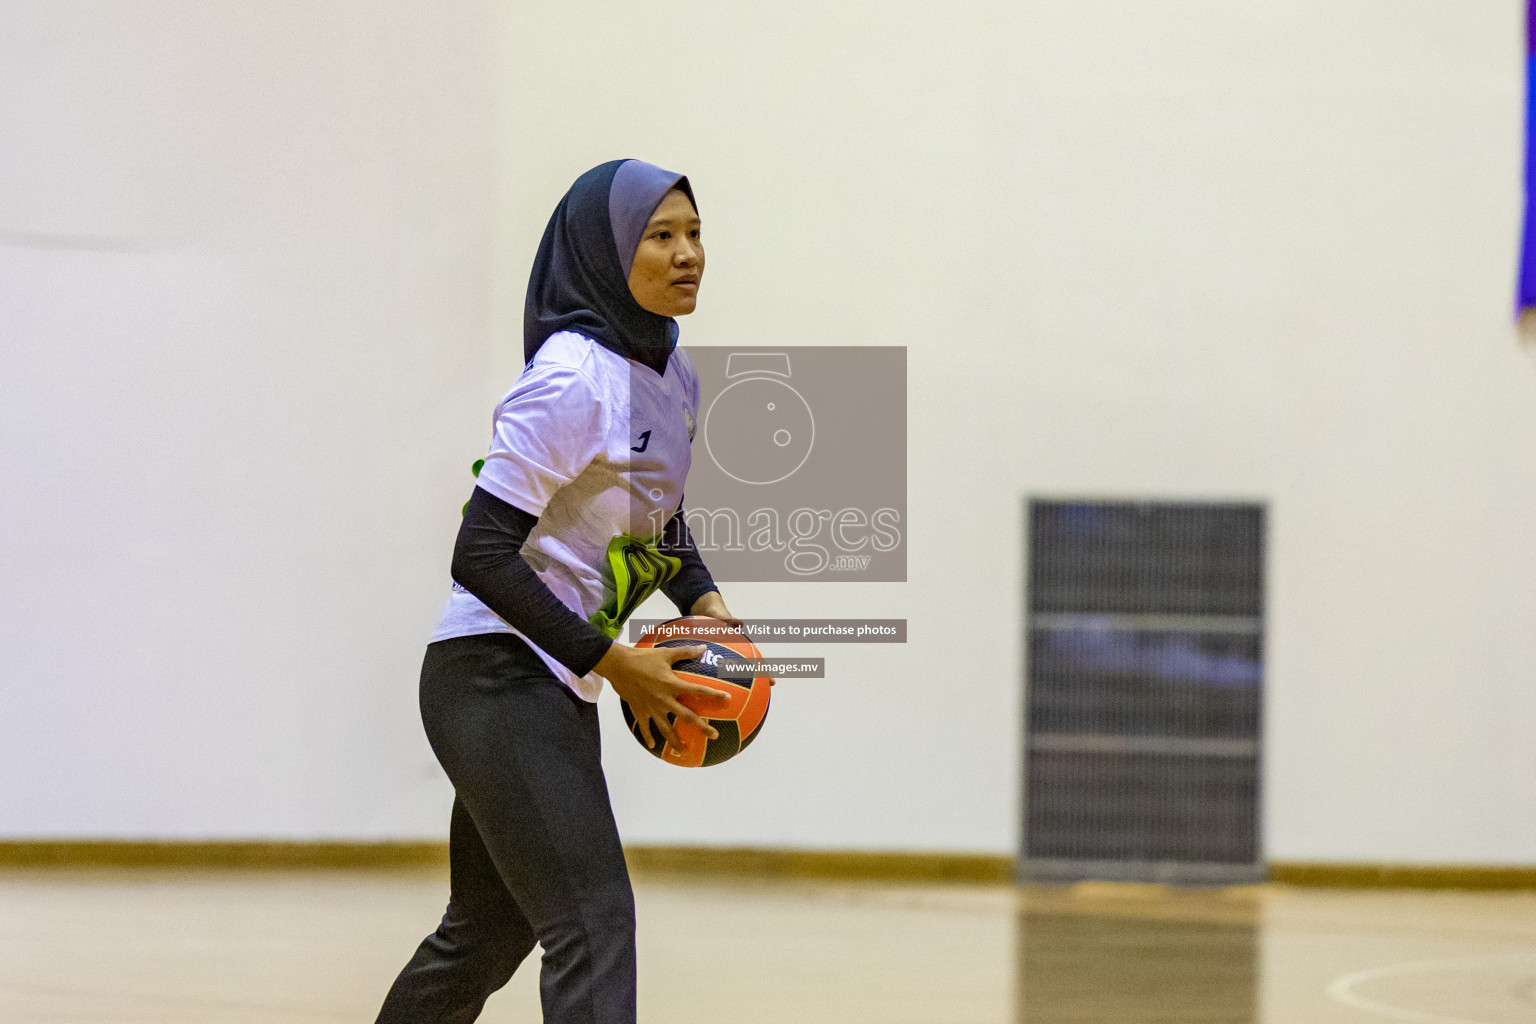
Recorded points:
243,319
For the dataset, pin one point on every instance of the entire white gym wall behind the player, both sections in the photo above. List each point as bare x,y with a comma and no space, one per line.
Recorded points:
259,269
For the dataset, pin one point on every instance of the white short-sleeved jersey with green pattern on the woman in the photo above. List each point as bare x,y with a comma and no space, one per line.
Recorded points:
597,448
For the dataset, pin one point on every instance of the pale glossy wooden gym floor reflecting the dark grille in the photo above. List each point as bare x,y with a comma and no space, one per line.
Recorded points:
286,948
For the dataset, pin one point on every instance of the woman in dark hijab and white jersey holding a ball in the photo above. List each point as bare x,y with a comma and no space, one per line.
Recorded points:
575,520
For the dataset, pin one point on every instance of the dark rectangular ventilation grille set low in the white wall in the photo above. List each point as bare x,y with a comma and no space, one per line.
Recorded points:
1145,682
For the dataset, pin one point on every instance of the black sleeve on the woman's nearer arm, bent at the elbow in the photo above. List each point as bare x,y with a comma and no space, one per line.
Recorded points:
488,563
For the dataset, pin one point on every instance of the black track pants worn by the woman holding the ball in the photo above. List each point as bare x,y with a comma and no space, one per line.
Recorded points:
534,848
